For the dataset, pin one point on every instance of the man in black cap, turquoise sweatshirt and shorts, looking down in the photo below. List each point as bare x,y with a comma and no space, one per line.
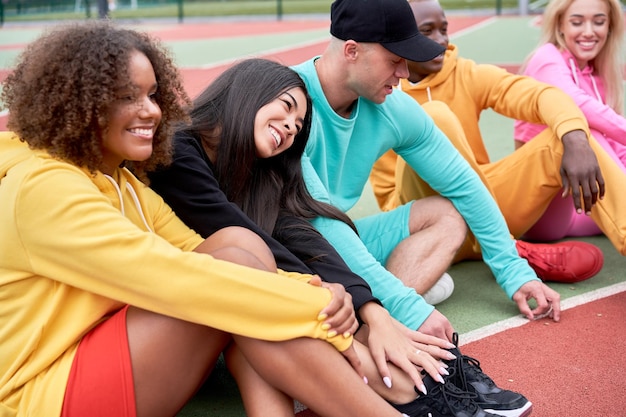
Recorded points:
357,117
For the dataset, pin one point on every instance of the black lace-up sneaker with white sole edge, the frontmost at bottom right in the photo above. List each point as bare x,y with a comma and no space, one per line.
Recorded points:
468,376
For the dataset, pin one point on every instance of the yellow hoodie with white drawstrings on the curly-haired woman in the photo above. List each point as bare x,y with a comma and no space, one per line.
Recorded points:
75,247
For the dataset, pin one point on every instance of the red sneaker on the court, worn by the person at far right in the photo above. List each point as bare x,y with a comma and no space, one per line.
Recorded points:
570,261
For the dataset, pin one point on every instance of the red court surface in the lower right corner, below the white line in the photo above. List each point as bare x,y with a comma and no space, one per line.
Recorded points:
574,368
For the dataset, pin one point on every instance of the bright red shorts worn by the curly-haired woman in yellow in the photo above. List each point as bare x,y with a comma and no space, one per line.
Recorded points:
101,379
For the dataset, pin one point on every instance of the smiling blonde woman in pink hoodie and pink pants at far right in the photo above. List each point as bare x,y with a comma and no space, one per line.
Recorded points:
580,52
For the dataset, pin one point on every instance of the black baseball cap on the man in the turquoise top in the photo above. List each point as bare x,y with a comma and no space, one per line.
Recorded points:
388,22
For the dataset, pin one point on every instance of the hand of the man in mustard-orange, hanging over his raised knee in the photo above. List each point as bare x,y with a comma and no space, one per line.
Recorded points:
580,172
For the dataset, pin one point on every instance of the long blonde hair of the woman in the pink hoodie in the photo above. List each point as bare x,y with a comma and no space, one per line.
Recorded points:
608,63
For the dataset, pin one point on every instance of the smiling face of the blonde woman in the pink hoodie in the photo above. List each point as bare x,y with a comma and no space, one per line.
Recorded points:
585,27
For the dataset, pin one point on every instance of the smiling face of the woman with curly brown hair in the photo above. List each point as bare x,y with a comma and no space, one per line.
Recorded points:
133,117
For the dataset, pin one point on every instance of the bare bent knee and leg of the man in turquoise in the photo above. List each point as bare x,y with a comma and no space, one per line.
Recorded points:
437,231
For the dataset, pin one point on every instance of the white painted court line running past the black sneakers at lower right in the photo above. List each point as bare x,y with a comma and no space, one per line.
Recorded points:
517,321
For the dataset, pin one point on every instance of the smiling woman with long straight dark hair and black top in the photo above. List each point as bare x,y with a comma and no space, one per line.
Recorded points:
238,163
